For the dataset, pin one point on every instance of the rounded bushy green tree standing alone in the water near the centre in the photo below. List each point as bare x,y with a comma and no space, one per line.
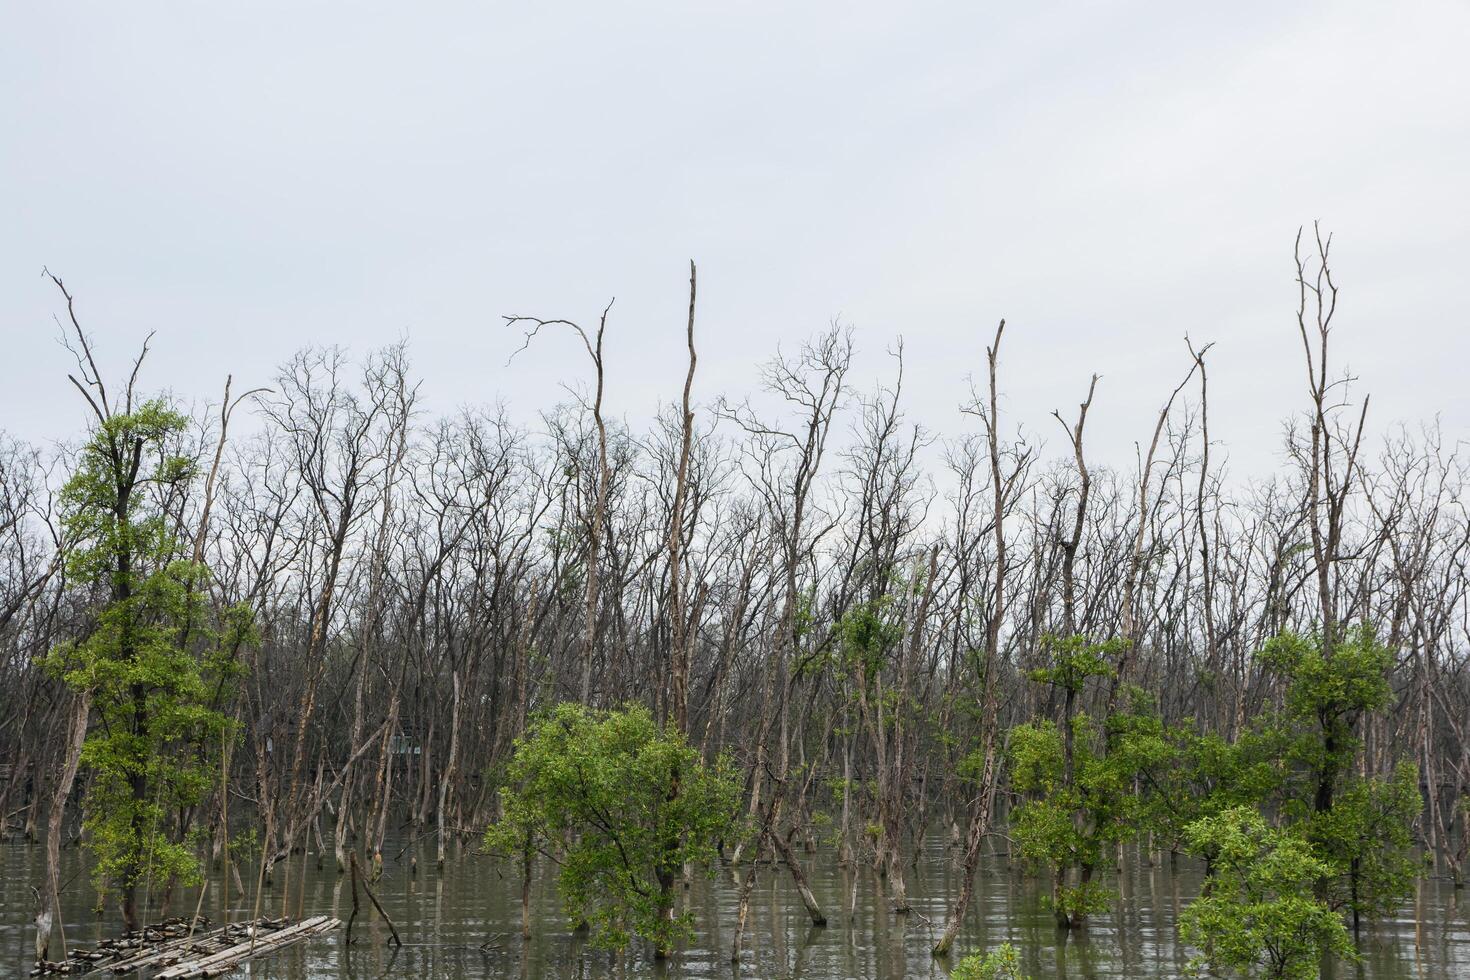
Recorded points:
621,806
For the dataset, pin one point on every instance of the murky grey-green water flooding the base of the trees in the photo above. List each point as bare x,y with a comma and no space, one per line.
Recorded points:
465,923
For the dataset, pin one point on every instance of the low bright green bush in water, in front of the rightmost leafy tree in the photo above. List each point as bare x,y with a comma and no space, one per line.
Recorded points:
1261,915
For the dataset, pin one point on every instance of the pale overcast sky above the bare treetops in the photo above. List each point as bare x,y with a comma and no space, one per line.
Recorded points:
248,179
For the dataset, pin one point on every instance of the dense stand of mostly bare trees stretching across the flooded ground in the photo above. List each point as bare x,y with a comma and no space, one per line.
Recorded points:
283,641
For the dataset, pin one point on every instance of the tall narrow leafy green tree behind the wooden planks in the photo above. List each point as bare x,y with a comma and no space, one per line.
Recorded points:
154,662
